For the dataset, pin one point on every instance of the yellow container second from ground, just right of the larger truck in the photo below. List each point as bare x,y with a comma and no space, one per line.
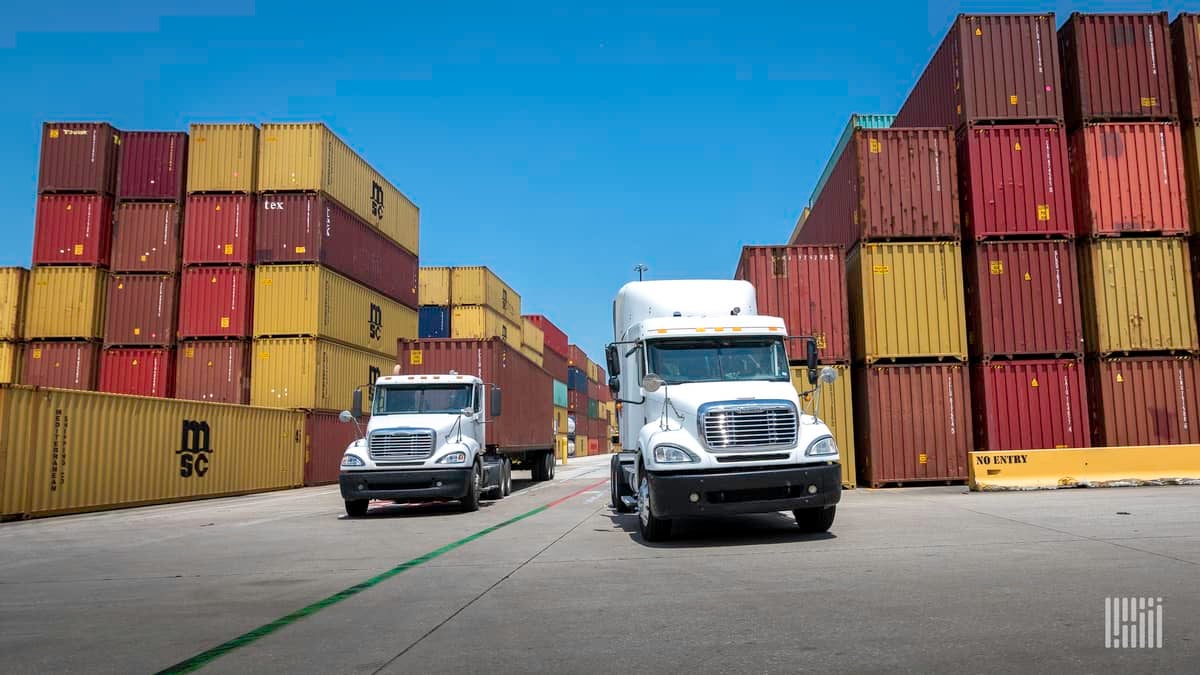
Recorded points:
907,301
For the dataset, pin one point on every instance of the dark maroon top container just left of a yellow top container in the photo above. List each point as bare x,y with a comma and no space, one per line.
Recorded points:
153,166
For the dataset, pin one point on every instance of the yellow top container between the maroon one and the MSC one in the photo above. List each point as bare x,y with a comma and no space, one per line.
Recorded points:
223,158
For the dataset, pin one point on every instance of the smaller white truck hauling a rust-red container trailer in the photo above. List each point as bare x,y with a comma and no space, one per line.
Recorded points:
437,432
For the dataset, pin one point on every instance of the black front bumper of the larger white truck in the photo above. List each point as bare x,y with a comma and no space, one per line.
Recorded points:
691,495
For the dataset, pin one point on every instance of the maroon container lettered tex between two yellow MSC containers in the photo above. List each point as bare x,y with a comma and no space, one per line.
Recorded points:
313,229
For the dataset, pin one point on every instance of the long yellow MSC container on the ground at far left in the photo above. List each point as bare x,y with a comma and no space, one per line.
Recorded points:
69,452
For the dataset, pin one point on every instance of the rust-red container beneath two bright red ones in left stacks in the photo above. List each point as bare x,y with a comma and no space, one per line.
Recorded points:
217,372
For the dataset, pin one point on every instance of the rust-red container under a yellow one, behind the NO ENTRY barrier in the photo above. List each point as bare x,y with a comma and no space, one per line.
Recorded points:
1145,401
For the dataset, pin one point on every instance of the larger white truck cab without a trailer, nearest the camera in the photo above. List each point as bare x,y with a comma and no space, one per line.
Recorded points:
710,421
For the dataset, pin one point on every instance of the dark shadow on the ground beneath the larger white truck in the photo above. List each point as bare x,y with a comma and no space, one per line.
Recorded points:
728,531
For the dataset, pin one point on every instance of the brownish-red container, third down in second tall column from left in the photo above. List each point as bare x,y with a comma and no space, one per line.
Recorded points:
141,312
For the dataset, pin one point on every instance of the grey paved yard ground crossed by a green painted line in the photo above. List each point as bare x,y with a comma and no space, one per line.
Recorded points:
921,581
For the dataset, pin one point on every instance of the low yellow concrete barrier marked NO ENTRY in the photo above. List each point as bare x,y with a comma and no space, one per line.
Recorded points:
1085,468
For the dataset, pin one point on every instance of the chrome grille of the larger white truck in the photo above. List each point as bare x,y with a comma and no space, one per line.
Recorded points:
749,427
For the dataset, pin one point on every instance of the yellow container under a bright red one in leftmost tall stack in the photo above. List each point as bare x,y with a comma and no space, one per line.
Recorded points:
67,302
